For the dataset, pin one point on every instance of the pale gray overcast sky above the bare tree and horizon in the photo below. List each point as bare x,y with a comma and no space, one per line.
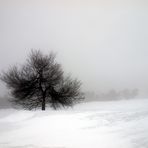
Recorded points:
102,42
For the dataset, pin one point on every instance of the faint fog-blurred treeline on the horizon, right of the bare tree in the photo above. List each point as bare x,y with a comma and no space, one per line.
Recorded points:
112,95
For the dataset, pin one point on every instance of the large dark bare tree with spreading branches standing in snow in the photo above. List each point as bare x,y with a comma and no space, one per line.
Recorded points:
41,81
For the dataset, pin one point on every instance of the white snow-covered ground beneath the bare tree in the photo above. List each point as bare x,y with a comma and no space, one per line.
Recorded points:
114,124
